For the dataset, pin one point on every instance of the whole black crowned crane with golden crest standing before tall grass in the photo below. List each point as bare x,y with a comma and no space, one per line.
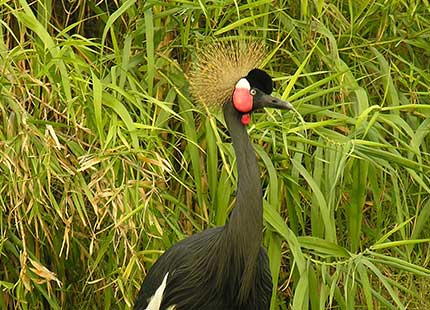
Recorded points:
223,268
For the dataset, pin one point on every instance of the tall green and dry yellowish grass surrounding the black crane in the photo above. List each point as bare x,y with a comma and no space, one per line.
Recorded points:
105,162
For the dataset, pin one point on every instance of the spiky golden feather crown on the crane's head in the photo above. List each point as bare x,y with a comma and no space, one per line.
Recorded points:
218,68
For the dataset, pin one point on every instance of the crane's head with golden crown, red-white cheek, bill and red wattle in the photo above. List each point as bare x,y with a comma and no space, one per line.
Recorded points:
226,73
